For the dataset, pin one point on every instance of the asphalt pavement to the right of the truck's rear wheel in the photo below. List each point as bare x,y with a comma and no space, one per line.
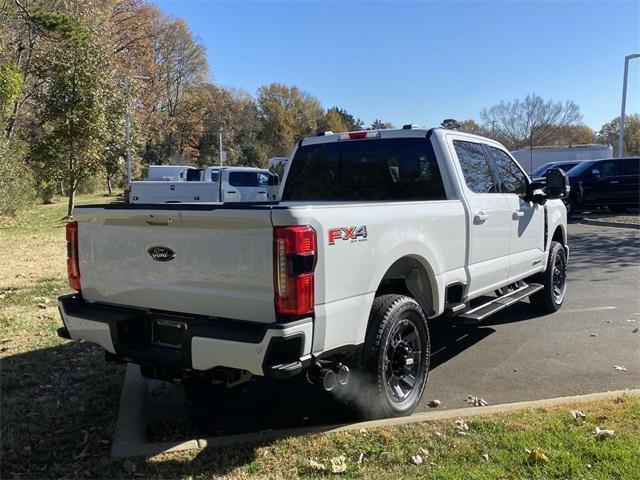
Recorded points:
554,355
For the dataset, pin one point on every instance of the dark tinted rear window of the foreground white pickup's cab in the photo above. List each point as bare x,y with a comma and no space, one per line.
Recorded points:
368,170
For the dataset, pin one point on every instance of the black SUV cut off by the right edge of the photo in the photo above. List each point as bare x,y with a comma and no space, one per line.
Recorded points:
612,183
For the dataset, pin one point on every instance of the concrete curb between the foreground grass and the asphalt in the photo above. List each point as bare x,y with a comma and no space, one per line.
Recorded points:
122,449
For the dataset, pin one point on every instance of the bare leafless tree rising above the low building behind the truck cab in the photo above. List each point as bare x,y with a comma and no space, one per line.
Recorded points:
530,122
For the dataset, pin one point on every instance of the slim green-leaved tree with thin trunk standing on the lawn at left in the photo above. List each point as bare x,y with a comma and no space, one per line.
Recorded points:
74,115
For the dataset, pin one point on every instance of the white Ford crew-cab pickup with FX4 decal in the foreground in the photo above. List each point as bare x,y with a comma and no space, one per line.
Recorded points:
376,235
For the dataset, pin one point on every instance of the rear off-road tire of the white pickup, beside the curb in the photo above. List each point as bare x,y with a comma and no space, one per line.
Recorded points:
371,394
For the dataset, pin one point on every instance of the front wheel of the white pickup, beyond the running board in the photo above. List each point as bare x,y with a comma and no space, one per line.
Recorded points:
548,300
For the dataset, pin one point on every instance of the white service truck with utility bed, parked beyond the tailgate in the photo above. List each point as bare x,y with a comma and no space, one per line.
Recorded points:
208,185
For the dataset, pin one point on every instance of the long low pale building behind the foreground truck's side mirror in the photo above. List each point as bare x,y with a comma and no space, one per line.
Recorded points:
531,160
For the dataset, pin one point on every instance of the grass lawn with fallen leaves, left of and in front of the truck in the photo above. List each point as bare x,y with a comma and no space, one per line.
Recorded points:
59,404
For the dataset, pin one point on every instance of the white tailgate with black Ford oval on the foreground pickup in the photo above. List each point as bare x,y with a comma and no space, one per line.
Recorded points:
221,261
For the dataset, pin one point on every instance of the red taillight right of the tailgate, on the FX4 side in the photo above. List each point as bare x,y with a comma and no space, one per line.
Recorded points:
294,259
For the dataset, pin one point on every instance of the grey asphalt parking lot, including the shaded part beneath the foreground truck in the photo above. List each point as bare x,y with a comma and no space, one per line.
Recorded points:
515,355
